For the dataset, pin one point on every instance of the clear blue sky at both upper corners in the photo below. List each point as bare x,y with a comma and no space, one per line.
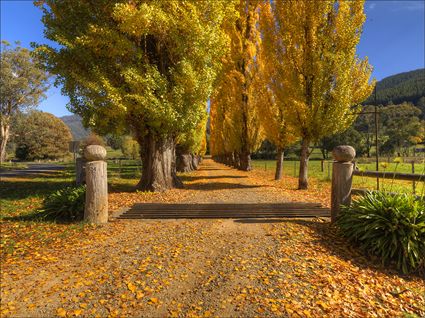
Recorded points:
393,38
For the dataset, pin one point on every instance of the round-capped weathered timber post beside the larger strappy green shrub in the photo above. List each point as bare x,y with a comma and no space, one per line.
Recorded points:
342,178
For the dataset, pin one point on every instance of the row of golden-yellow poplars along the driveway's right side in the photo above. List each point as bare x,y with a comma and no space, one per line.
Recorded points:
294,76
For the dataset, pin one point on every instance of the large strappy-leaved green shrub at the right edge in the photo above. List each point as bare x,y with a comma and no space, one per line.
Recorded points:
391,227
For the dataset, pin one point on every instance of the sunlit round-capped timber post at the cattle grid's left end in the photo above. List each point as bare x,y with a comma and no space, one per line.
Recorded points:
96,209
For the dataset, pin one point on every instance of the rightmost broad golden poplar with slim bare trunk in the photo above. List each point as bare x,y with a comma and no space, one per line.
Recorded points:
319,78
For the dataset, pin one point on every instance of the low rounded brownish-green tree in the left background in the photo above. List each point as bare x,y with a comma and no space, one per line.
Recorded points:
40,135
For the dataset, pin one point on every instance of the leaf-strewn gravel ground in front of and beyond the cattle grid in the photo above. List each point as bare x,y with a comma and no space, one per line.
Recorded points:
245,267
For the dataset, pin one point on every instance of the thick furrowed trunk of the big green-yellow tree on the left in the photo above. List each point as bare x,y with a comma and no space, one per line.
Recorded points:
158,164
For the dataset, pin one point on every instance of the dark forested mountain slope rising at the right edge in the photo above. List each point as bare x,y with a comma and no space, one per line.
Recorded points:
399,88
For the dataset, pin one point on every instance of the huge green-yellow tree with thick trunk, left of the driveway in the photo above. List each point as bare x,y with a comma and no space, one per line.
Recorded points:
146,65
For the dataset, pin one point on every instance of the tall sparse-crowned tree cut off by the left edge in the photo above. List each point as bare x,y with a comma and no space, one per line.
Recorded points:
22,86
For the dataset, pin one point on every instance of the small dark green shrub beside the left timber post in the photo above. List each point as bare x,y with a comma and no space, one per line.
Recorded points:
64,204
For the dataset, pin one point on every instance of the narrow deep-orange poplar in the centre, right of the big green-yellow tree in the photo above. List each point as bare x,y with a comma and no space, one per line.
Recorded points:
236,93
